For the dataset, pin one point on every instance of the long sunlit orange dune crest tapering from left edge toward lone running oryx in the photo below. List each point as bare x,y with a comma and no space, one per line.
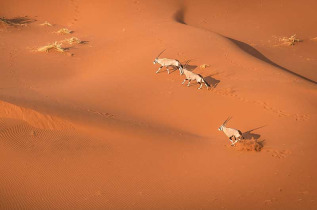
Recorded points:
93,120
